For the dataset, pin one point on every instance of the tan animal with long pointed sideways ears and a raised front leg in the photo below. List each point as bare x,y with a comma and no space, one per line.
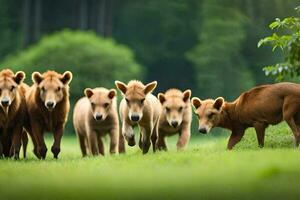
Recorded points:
139,107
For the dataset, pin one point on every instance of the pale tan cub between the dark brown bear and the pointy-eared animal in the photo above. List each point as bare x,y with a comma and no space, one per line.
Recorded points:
94,116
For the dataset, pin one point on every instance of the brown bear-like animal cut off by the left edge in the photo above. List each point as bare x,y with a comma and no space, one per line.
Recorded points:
12,112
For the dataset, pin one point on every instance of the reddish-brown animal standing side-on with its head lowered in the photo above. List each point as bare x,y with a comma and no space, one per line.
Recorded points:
258,107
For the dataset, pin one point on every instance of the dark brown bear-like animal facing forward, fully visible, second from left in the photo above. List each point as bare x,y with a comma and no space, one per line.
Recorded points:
48,107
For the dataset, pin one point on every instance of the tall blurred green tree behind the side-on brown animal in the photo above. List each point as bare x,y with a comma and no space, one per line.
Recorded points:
217,59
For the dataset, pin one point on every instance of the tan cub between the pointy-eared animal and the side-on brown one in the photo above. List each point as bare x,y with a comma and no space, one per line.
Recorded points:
176,117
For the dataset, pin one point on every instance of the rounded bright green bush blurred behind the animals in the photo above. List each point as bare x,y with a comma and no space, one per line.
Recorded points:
94,61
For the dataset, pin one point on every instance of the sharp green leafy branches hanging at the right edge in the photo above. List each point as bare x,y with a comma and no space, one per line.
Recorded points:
286,37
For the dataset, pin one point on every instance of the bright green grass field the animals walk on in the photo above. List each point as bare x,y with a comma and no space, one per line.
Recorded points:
205,170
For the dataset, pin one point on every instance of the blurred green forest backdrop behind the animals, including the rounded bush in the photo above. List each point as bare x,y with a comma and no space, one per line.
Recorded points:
209,46
